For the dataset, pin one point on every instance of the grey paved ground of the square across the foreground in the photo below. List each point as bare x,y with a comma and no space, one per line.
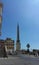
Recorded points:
20,60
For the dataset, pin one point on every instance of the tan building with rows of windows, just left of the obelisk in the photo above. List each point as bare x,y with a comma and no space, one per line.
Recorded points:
9,45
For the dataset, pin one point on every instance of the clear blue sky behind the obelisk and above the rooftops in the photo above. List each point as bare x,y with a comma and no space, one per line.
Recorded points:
26,12
